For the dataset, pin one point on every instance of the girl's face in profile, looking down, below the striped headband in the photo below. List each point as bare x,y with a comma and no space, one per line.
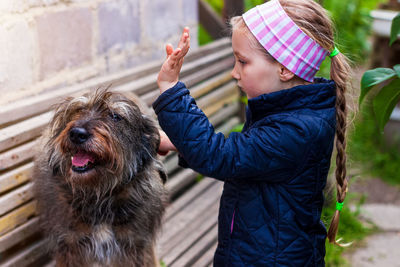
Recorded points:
255,73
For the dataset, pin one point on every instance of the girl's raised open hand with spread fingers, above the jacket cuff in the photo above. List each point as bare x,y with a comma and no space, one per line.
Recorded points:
169,73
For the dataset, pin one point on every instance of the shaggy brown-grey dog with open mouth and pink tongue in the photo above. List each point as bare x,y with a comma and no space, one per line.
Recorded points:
98,183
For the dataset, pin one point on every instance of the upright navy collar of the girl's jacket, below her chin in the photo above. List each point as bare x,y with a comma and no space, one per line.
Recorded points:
318,95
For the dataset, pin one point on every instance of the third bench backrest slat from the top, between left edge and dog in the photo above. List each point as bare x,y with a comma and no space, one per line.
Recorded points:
17,155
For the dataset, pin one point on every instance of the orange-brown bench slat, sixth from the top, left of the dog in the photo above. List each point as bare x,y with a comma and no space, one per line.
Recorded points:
17,217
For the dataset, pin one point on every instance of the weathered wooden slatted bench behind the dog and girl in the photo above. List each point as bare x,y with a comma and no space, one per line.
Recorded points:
189,233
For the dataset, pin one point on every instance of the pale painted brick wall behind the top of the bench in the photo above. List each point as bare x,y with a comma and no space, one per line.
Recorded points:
47,44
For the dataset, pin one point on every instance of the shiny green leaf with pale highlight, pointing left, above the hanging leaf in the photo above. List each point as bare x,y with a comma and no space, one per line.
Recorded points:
373,77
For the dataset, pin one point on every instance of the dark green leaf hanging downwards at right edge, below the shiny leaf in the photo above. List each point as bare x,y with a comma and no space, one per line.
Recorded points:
385,101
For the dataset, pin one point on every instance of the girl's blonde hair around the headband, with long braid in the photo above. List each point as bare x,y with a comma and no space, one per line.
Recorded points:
313,20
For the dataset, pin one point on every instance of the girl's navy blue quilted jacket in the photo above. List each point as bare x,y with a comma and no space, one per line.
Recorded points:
274,171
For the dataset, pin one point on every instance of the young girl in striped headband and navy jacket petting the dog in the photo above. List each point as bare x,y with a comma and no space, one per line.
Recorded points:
275,170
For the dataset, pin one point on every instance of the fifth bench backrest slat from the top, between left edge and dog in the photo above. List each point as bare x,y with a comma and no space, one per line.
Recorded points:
15,198
